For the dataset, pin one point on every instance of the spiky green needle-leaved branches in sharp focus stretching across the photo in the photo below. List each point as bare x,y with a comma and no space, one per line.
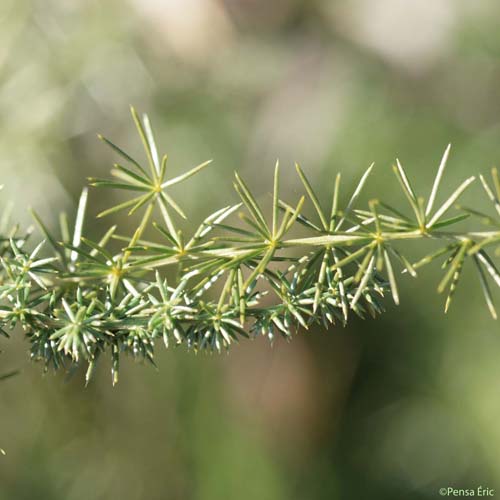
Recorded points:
233,279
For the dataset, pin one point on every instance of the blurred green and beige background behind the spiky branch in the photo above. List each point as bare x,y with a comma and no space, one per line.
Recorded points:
388,409
